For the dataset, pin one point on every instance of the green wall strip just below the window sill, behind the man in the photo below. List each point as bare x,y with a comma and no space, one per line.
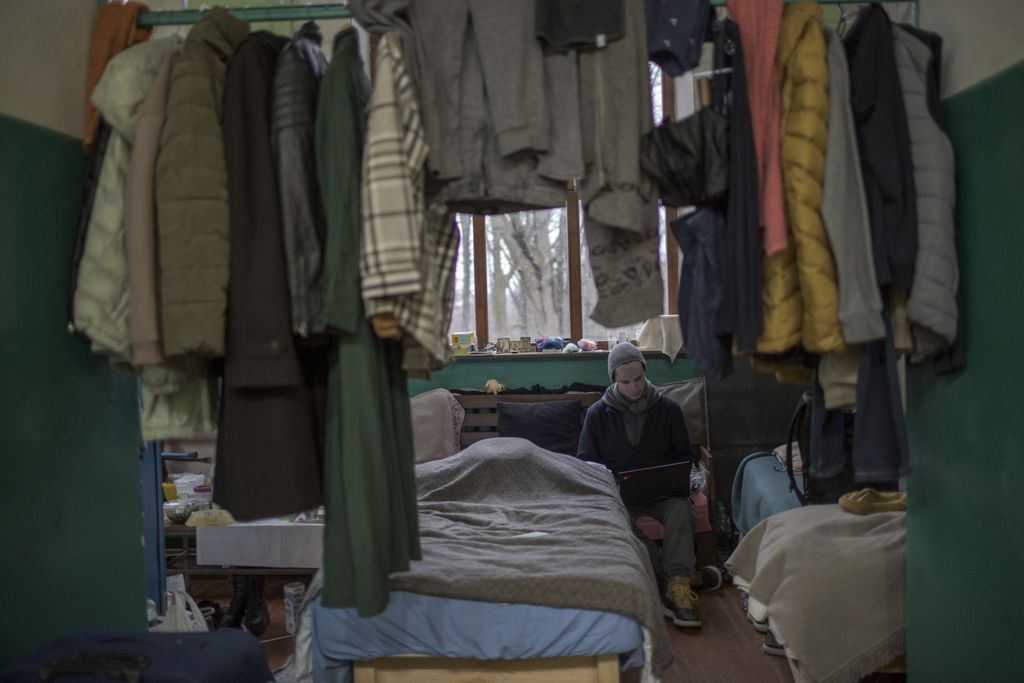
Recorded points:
551,371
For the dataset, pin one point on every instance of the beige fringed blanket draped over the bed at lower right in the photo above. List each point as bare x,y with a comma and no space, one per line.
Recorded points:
834,587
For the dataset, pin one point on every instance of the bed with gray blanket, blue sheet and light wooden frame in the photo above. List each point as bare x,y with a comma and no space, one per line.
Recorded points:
530,574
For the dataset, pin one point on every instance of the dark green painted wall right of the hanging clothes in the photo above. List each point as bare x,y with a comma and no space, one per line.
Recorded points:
966,547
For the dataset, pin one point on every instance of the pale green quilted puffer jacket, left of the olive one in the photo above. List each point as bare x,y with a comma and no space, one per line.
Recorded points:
101,303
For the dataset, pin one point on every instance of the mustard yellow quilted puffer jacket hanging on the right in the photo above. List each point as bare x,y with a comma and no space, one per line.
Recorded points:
800,295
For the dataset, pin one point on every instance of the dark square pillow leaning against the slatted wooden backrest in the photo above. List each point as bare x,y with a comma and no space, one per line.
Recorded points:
553,425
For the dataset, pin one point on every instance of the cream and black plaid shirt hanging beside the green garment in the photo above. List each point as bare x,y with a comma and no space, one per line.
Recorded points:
409,250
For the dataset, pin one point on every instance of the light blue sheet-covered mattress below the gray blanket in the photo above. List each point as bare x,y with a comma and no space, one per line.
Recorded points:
415,624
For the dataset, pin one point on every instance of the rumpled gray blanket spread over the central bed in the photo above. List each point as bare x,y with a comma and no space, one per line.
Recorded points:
507,522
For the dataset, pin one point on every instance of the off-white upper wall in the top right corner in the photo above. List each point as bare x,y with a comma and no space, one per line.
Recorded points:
980,38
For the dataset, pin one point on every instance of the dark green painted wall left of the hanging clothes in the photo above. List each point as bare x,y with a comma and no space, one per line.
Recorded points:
70,489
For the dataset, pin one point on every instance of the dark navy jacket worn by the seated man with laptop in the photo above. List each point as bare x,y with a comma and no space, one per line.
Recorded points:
663,442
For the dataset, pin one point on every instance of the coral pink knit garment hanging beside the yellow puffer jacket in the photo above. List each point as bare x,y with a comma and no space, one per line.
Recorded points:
759,23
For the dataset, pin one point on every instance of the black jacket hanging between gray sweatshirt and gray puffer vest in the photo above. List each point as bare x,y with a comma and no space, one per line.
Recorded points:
884,143
